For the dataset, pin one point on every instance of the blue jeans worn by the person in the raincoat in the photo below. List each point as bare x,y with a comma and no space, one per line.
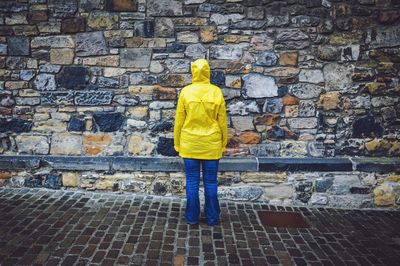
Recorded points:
211,206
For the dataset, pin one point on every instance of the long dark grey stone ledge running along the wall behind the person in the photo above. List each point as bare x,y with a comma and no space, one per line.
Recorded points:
175,164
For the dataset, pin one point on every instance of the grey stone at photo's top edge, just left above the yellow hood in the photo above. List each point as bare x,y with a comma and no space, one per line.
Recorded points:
158,8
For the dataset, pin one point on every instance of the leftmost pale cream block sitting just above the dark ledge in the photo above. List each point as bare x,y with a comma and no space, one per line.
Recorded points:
28,144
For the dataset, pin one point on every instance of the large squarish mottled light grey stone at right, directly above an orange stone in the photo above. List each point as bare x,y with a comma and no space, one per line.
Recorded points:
338,77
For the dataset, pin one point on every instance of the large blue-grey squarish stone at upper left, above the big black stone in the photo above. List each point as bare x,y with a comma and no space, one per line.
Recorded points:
90,43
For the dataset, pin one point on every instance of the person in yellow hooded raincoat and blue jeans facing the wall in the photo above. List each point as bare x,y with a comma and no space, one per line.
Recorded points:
200,137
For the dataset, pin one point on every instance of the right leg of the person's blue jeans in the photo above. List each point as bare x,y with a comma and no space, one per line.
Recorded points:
211,207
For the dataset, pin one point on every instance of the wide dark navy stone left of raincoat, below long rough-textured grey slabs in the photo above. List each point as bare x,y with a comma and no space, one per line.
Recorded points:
108,122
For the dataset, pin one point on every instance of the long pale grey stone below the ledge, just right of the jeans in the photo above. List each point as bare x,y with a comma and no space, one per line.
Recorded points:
243,193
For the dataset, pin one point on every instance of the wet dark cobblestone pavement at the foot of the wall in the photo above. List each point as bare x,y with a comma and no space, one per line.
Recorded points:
64,227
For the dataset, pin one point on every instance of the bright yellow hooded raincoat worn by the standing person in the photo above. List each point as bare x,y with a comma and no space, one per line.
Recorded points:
200,129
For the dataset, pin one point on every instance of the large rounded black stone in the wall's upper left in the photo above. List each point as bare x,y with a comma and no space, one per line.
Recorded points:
72,77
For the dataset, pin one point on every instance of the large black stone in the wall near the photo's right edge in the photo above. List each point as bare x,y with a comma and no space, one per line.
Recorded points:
367,127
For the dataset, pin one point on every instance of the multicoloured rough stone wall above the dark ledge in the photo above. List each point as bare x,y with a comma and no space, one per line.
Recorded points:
101,77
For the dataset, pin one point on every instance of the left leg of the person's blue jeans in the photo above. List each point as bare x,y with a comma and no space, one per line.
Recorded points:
192,169
